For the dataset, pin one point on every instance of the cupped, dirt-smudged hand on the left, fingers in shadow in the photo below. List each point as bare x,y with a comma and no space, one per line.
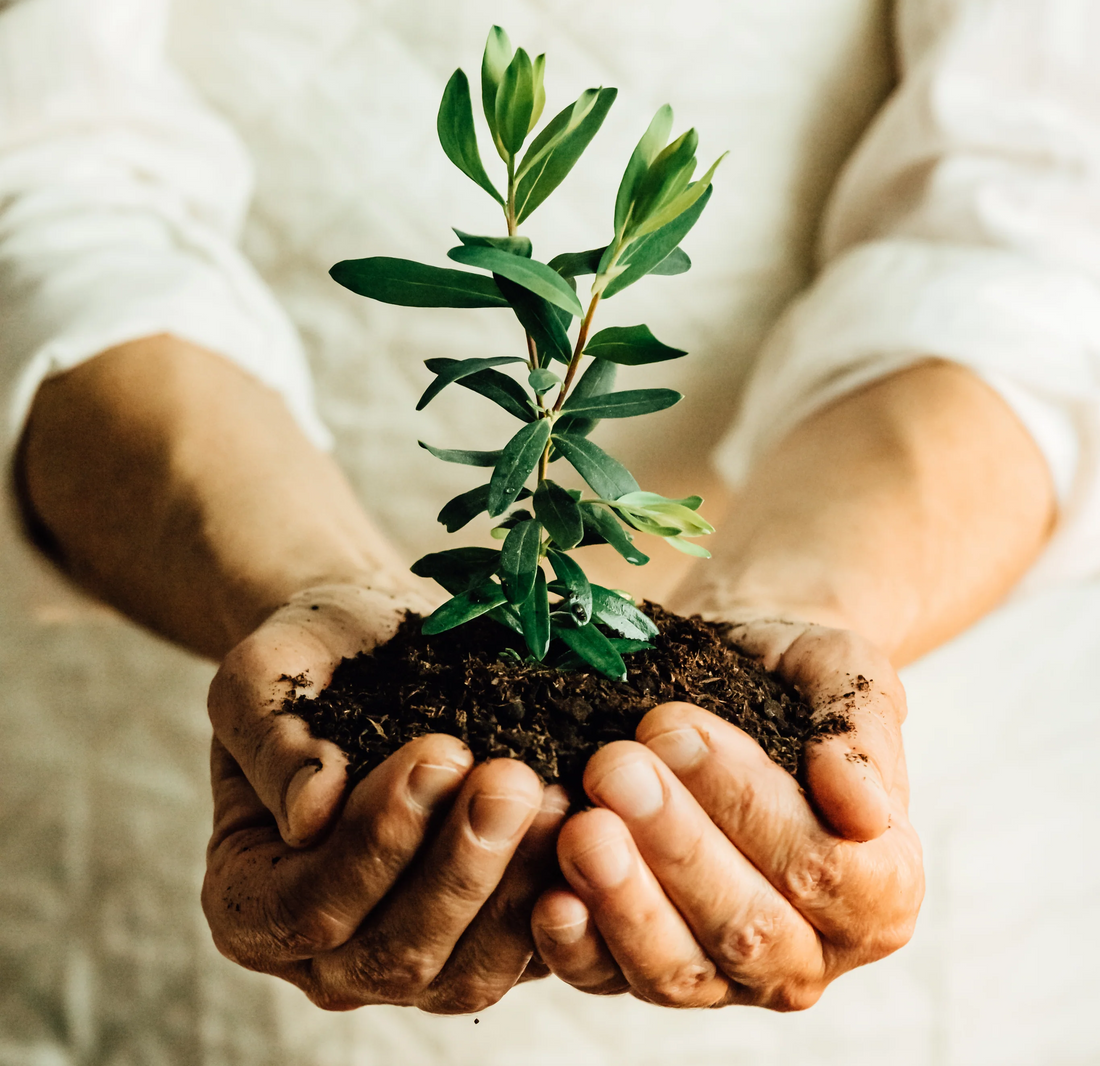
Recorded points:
303,881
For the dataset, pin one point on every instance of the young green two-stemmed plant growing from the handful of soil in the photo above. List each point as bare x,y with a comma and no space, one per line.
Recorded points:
659,201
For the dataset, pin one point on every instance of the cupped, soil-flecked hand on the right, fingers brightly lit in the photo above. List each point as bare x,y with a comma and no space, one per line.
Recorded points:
706,876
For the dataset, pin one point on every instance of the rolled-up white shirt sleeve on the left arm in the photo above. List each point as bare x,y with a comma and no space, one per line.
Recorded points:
122,202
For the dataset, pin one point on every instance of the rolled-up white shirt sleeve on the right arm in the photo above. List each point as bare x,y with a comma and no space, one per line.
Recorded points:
966,227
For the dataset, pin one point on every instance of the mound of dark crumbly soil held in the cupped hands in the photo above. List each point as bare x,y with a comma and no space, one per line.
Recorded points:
460,684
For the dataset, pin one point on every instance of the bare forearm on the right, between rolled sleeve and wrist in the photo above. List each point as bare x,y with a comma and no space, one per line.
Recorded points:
905,512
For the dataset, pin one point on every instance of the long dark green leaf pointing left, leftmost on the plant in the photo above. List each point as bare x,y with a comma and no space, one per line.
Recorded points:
411,284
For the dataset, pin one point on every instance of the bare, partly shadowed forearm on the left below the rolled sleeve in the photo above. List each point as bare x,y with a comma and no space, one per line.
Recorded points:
180,490
